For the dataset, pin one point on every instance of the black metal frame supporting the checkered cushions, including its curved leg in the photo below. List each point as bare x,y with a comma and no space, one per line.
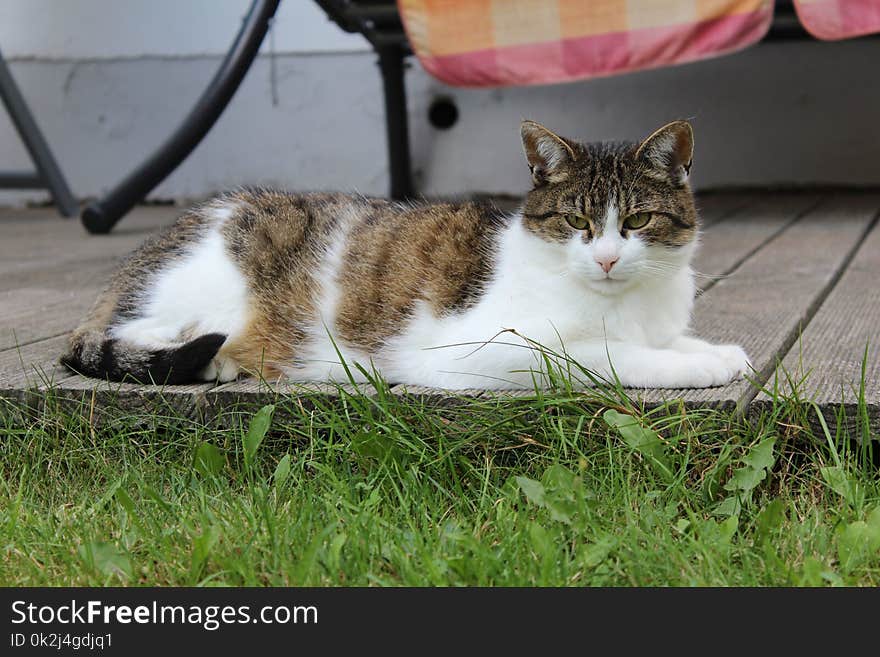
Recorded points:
380,23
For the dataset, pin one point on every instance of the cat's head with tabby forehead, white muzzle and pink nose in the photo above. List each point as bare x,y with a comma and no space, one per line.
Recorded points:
623,213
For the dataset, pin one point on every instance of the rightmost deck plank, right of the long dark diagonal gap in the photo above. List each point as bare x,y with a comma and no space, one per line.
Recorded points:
825,363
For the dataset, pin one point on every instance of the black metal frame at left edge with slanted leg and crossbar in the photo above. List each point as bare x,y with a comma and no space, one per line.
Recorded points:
48,174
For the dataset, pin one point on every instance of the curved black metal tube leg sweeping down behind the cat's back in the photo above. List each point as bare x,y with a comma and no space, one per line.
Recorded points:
100,216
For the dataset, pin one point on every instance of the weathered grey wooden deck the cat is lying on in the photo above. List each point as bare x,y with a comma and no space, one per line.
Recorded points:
793,277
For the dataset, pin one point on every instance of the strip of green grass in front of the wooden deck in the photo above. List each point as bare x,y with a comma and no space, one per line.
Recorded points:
554,489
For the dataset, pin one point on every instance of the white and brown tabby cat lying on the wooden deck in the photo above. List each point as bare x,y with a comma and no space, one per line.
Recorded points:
593,267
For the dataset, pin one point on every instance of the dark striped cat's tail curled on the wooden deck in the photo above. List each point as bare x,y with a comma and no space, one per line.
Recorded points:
93,354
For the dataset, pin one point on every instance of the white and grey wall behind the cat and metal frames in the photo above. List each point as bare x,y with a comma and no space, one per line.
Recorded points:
783,113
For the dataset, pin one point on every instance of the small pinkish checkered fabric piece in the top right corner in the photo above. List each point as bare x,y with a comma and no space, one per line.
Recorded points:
839,19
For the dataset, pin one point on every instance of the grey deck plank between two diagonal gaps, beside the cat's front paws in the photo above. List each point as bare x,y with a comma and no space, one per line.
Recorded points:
764,303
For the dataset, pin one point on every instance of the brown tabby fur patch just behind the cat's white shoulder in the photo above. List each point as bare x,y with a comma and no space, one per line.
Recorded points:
440,254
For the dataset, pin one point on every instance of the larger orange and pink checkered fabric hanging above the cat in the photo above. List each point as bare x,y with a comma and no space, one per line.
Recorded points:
480,43
